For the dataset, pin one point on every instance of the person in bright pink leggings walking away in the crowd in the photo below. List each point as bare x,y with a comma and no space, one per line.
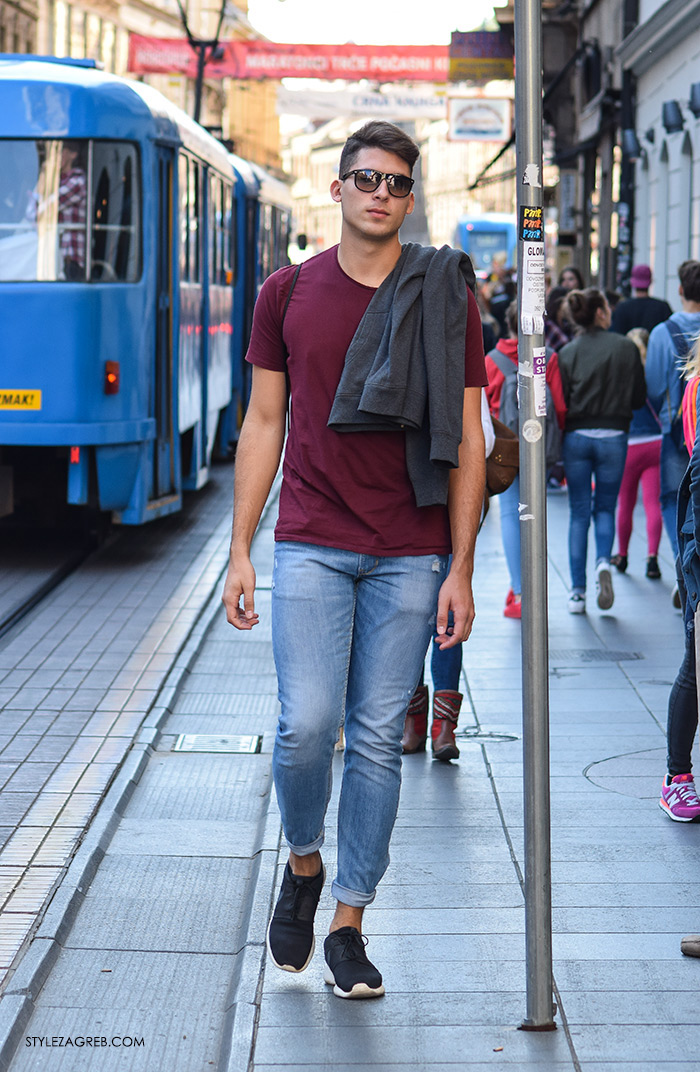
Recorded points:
643,465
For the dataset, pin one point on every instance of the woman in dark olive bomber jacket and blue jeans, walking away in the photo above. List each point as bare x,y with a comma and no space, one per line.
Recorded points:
603,380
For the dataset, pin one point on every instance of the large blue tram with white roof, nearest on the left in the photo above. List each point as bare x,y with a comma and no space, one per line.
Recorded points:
120,260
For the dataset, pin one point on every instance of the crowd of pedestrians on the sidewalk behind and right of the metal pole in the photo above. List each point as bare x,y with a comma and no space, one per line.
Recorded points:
628,373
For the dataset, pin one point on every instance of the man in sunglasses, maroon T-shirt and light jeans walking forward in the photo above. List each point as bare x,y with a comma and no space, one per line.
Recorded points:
383,478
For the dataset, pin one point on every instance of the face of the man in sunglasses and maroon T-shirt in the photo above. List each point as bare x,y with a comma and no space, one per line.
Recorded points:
379,215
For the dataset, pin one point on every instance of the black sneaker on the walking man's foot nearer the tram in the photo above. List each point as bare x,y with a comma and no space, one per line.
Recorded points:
290,936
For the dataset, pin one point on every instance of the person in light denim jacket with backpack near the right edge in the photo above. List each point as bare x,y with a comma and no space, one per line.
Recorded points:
669,345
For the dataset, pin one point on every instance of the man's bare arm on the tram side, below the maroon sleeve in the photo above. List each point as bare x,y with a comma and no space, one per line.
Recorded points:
258,460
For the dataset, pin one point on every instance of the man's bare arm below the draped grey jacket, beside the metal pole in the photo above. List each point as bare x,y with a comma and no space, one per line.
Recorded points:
466,501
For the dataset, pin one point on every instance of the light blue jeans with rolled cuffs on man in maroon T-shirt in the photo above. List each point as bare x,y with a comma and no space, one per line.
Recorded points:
350,634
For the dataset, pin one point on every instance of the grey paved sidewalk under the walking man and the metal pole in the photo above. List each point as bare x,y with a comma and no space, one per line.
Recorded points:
169,942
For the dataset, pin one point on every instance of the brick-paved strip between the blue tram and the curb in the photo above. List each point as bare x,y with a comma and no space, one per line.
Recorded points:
77,680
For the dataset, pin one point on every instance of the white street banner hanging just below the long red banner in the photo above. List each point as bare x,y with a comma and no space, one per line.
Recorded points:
360,103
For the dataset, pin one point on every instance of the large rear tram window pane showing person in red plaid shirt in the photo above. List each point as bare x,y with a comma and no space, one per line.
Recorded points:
43,209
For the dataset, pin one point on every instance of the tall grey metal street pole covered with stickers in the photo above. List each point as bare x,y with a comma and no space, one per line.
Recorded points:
533,514
